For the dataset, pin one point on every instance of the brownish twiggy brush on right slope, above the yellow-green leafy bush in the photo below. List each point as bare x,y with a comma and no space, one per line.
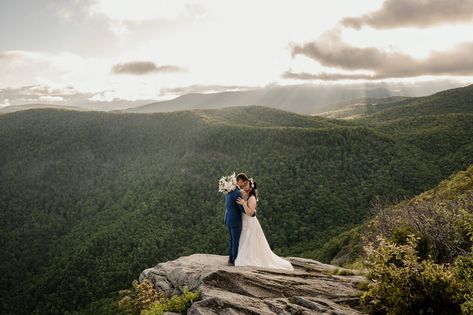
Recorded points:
440,224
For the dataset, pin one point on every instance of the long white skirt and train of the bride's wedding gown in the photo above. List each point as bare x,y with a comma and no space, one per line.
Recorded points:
254,250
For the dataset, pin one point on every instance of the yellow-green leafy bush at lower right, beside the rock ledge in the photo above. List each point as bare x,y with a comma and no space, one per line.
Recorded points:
401,283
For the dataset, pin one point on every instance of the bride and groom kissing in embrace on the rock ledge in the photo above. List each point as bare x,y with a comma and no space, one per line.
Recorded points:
248,244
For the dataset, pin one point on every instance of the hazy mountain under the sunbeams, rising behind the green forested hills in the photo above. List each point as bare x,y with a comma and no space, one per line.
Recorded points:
302,99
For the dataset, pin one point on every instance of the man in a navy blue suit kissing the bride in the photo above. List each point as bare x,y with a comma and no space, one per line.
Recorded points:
233,213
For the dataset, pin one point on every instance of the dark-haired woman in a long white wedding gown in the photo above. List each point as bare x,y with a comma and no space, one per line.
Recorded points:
253,249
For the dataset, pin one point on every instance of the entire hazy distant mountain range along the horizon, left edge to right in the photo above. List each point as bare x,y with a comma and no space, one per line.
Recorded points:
308,99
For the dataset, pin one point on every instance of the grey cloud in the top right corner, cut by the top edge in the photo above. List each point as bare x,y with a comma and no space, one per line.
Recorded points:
408,13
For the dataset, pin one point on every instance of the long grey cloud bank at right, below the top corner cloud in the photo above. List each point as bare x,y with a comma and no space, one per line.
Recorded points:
331,51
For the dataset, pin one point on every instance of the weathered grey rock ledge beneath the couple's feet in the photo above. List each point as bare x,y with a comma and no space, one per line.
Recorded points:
312,288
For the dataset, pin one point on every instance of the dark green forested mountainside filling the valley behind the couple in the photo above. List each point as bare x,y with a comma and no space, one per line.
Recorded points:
89,199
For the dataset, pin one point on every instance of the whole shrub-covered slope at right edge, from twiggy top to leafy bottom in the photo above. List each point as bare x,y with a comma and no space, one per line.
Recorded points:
420,255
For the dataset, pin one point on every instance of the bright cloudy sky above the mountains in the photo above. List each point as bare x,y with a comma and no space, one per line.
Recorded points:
105,51
